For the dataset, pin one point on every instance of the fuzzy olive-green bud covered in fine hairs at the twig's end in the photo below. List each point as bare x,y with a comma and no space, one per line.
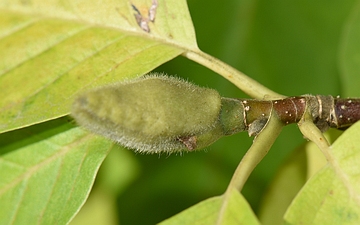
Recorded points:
152,114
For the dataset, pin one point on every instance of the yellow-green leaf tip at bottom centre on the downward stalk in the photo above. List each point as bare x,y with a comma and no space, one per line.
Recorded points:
236,211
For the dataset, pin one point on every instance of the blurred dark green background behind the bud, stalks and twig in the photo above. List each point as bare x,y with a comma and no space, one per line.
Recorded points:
292,47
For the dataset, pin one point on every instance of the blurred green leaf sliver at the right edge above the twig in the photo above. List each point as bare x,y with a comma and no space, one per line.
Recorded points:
350,53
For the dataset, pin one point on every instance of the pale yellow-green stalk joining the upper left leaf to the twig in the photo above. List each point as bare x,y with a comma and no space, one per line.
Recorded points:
242,81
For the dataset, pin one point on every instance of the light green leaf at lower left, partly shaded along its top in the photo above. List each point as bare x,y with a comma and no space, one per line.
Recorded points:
47,181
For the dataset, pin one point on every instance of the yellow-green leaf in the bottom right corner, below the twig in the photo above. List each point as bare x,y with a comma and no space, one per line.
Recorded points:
332,196
